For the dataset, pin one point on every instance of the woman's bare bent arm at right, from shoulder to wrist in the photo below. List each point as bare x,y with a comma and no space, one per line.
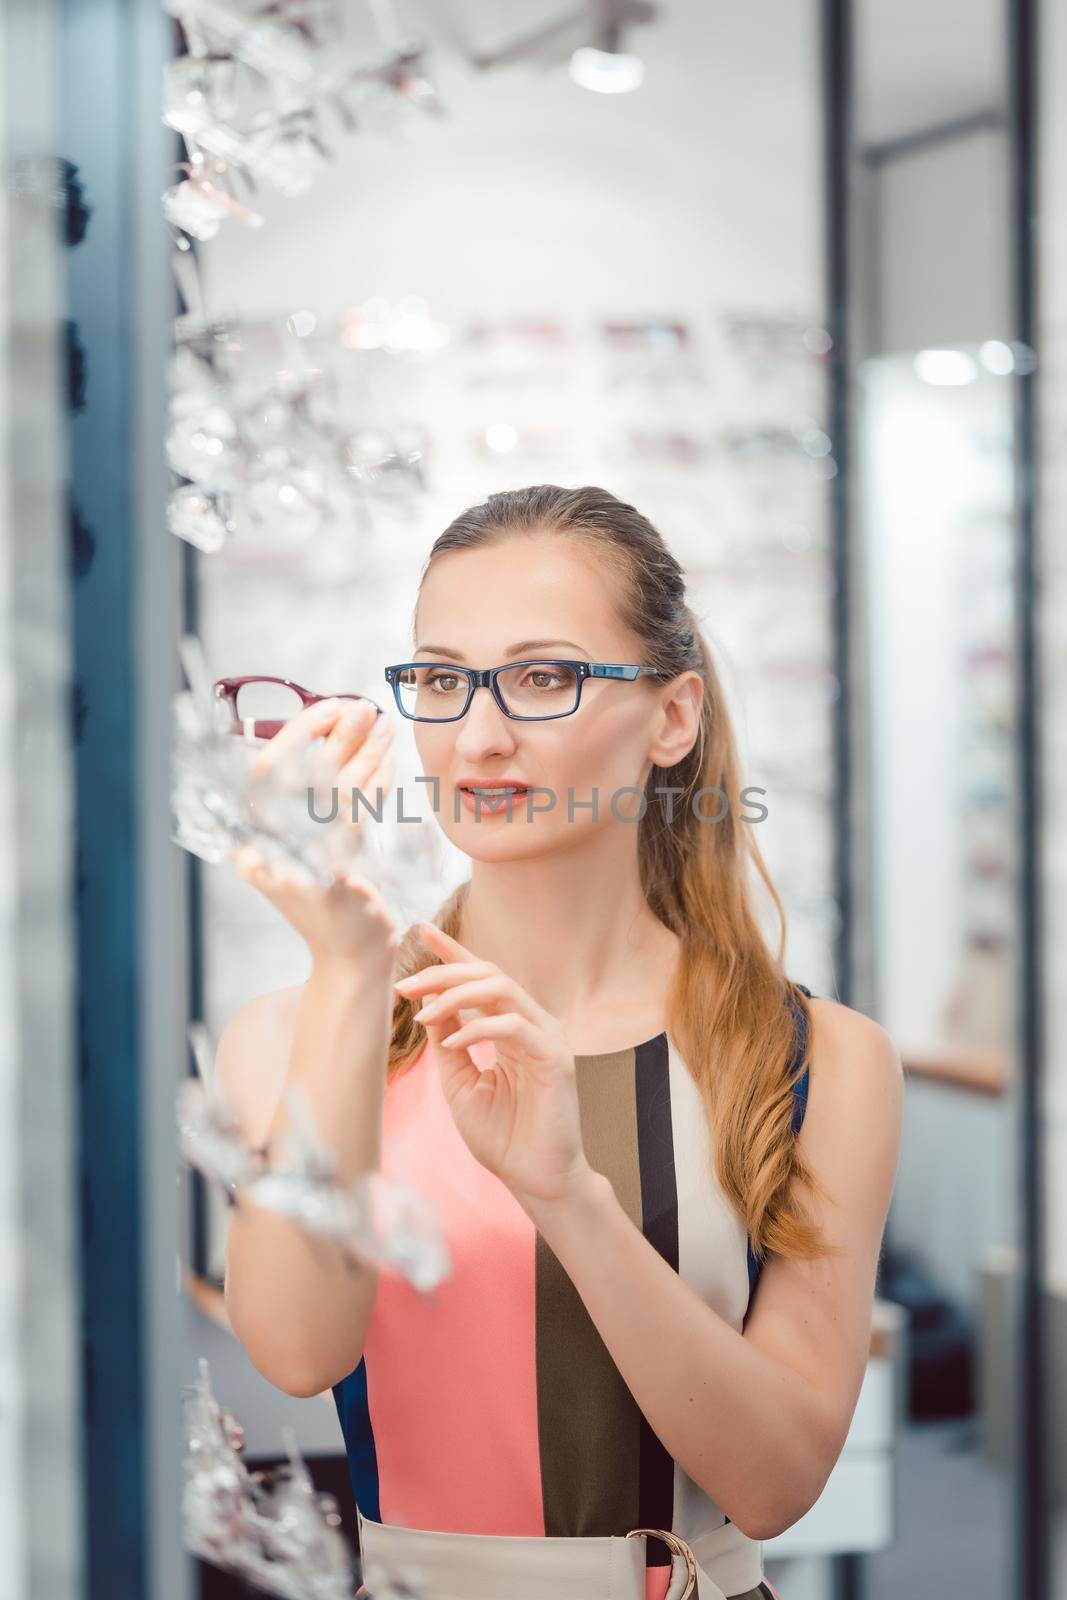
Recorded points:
761,1418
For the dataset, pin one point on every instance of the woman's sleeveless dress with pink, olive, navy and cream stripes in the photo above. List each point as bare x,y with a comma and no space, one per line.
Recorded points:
492,1406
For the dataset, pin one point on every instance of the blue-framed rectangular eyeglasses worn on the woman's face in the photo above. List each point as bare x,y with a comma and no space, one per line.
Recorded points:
526,690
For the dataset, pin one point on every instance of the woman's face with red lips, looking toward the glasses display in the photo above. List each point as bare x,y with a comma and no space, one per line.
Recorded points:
527,599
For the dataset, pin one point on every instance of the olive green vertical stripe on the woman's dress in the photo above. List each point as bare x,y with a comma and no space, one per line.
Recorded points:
588,1422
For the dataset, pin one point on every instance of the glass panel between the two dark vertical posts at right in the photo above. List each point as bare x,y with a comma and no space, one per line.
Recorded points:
935,495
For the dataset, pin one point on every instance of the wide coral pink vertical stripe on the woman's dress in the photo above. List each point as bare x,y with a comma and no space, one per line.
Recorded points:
452,1377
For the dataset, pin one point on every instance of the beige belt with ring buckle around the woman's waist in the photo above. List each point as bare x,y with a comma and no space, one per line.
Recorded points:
503,1567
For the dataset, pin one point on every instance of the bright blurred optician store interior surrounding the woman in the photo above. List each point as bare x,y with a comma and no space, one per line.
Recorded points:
282,290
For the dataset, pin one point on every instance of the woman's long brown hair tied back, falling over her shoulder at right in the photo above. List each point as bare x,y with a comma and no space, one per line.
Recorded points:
732,1010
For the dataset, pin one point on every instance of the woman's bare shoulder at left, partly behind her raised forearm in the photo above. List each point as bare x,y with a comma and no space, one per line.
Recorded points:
254,1057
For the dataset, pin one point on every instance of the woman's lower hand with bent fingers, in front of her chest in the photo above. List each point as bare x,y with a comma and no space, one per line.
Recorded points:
519,1118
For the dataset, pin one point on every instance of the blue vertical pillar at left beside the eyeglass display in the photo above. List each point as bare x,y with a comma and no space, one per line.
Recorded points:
110,82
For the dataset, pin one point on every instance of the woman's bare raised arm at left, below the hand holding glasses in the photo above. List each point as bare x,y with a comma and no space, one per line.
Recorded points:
295,1305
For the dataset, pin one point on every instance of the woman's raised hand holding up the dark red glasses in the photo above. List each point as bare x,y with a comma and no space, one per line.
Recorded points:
348,922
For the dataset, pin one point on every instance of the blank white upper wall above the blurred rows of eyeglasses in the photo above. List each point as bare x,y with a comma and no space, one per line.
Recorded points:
532,193
